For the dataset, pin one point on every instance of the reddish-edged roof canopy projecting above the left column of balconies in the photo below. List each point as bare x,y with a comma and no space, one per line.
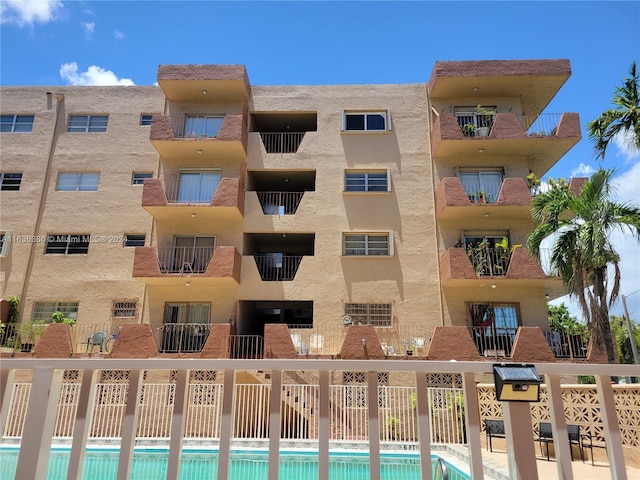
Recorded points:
200,83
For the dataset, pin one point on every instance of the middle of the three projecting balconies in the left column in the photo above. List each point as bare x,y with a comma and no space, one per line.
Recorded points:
210,200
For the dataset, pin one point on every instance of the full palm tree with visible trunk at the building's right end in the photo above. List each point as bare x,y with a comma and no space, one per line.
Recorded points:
582,252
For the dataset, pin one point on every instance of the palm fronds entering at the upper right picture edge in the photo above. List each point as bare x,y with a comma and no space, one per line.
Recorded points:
624,119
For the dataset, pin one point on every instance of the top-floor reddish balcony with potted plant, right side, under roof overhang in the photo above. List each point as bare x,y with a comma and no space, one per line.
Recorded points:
544,139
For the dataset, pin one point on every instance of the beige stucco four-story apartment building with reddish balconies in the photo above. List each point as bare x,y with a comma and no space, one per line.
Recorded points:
207,200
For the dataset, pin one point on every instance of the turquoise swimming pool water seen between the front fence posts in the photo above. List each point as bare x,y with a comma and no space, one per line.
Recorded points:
152,464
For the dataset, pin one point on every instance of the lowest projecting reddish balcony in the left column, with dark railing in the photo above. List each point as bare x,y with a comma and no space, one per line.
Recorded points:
177,265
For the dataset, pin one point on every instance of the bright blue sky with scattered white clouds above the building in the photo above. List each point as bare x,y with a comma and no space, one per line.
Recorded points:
60,42
